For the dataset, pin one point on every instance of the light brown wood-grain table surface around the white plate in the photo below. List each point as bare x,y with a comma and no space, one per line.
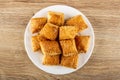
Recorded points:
104,63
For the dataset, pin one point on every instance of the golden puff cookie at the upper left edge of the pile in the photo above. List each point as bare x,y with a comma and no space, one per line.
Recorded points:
37,24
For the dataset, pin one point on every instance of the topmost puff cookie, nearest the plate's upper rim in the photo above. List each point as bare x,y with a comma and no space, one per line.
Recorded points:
56,18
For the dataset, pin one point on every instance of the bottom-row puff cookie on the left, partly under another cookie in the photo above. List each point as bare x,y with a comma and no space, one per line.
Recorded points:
51,60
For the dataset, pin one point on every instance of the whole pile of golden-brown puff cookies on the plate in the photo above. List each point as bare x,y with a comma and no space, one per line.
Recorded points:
58,39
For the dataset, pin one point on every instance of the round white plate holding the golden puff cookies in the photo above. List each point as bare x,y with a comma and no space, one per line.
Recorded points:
36,57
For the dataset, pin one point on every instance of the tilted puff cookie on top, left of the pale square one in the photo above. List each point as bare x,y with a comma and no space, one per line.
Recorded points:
49,31
